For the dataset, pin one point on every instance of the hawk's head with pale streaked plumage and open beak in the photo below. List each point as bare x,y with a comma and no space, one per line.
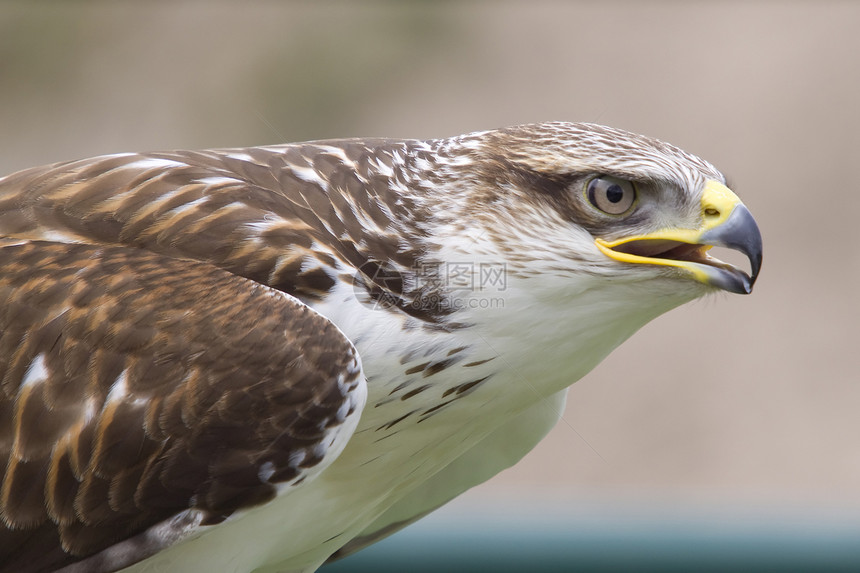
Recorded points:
597,204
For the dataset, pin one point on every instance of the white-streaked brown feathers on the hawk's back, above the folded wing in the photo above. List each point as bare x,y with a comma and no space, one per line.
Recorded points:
258,217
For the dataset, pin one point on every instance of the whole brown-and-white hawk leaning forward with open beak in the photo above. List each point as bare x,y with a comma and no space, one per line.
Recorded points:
261,359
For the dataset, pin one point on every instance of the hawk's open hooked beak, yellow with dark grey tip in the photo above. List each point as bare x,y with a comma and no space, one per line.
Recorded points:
726,222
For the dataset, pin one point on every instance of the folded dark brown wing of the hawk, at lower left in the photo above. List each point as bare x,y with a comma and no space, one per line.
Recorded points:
134,385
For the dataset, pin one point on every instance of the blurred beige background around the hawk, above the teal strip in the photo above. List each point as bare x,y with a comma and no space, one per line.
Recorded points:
733,399
